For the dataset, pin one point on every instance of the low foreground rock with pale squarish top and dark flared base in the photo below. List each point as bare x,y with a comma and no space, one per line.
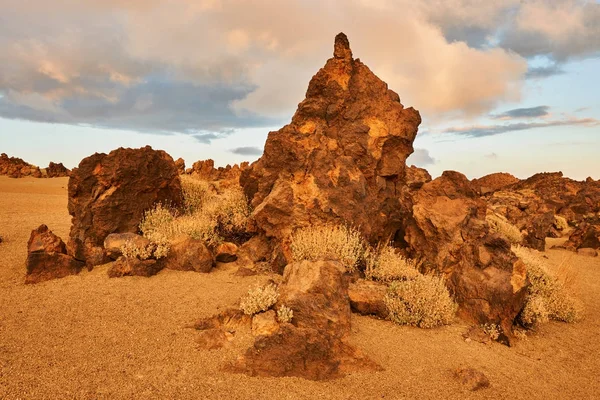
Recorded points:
315,346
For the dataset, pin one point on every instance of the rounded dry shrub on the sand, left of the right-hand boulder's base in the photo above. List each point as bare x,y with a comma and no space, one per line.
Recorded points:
423,301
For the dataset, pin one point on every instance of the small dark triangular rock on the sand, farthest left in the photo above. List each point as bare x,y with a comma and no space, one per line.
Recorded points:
47,257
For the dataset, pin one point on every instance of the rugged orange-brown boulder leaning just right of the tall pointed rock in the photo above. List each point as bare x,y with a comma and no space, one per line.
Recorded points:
448,231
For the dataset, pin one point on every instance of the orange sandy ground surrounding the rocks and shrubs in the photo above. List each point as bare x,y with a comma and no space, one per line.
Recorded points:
91,337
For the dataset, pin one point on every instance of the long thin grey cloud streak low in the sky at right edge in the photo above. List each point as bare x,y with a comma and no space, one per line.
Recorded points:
491,130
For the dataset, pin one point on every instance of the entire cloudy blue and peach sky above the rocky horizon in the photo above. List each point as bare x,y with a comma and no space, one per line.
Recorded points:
508,86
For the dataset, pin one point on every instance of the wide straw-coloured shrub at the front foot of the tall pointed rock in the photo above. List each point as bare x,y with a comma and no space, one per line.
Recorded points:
328,242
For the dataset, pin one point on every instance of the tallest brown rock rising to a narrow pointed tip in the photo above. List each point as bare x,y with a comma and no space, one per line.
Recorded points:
341,159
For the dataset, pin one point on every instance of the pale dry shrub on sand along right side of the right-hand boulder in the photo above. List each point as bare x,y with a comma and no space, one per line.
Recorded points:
548,297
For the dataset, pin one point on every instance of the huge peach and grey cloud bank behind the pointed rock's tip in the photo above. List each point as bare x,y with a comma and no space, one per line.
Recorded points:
214,65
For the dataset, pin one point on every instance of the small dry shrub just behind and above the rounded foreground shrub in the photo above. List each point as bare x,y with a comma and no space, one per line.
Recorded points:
386,265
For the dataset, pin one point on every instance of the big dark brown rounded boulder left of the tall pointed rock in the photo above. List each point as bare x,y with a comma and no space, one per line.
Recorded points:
109,193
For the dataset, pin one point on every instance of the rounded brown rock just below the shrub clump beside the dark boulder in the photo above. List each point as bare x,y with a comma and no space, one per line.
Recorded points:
187,254
